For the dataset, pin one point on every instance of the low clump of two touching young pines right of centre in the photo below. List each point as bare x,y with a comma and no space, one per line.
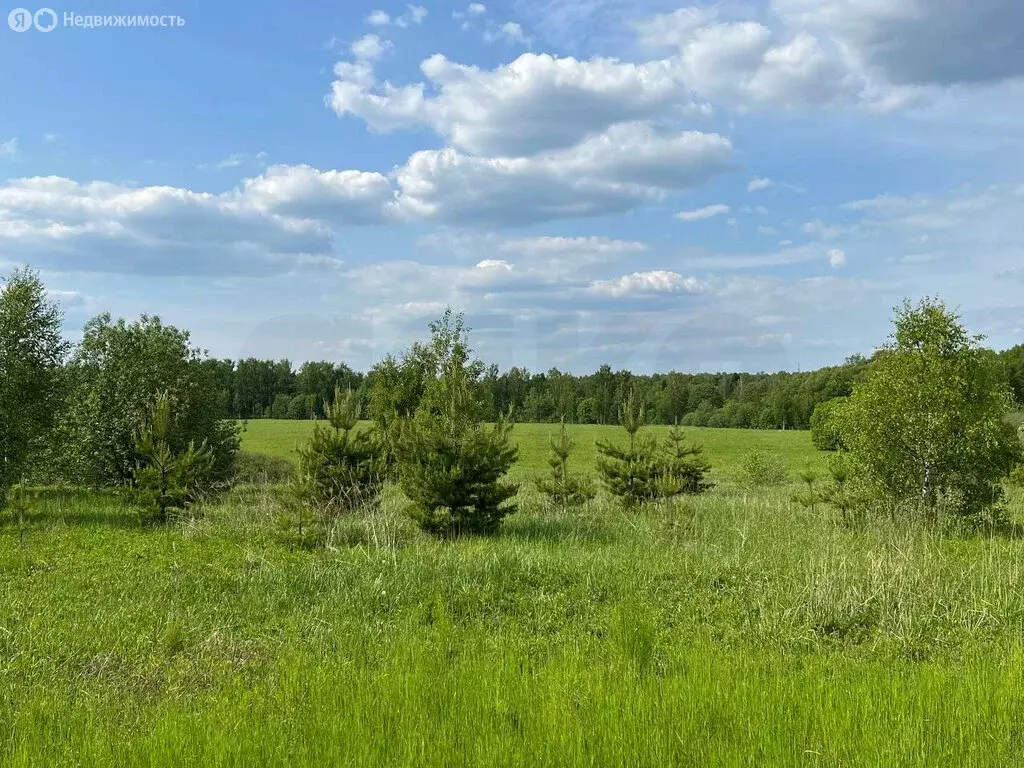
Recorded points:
644,471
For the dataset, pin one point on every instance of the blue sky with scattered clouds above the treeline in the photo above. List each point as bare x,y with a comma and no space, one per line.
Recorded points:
746,186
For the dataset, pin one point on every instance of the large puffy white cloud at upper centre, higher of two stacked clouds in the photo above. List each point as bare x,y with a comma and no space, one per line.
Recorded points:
536,103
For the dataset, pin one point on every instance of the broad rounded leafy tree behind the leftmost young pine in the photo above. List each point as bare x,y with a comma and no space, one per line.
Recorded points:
116,372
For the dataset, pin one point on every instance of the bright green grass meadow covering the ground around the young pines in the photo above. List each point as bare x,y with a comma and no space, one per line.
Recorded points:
737,629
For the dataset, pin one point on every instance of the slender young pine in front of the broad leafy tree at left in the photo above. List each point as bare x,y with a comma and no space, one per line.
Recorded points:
165,480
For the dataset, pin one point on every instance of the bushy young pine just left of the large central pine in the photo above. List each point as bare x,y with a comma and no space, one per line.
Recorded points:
340,467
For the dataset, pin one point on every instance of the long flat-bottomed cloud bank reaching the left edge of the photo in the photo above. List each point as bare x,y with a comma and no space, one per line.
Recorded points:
273,224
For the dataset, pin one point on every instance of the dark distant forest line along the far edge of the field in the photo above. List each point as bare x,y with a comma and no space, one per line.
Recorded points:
273,390
